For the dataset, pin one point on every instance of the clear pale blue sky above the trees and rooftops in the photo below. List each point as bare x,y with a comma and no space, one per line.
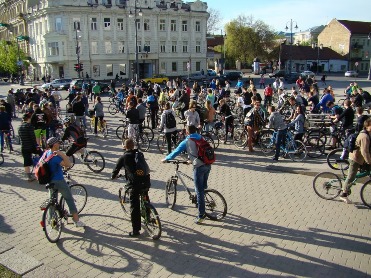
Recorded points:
307,14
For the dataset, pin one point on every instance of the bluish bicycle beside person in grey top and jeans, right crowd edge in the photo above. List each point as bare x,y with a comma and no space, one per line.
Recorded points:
295,149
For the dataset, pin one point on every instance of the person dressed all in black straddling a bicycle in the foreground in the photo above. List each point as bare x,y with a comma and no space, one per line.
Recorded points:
127,161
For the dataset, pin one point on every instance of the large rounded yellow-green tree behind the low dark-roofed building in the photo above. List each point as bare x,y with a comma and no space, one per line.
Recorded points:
248,39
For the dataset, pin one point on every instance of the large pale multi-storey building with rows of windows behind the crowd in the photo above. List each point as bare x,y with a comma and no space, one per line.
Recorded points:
101,34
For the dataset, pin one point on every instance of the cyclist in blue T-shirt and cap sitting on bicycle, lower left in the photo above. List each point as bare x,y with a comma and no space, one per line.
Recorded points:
56,163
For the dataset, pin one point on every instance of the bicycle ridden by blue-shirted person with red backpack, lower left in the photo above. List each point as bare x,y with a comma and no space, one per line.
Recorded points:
55,213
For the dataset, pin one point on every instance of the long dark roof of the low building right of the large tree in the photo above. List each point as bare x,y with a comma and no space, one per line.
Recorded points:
308,53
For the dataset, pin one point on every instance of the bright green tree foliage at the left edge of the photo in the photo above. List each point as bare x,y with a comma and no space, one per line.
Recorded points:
9,57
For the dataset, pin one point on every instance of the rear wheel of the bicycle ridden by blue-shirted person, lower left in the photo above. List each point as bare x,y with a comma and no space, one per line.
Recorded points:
52,223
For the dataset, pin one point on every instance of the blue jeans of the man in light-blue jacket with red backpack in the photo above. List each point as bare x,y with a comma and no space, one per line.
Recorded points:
201,175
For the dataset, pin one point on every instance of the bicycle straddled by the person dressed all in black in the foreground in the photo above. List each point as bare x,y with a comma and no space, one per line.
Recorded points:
150,217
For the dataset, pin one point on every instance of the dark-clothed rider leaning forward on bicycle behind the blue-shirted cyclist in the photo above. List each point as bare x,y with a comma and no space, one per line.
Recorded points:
73,132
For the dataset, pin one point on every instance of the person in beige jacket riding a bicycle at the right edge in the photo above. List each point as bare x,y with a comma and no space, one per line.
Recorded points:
358,157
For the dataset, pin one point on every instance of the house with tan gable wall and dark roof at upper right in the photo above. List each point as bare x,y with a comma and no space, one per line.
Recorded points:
350,39
